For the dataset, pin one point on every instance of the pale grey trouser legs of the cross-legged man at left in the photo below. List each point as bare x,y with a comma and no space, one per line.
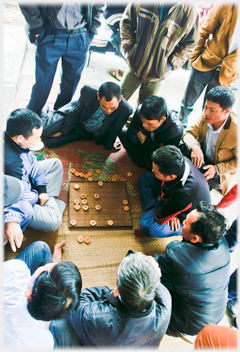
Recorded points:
49,216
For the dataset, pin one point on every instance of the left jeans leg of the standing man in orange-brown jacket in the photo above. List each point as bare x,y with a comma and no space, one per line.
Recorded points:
195,86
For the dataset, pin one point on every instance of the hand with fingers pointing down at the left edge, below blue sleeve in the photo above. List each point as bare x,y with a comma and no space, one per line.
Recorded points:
13,234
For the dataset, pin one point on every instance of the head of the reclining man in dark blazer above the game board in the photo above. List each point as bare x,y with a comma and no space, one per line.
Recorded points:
109,96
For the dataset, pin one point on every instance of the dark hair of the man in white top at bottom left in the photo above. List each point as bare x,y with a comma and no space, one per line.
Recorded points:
56,293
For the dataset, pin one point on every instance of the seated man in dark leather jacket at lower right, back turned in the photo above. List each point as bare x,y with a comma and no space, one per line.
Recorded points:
196,271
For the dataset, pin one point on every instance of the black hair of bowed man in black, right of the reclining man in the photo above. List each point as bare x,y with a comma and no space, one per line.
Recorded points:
154,108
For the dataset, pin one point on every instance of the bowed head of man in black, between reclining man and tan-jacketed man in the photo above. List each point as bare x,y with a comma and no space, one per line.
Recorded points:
153,112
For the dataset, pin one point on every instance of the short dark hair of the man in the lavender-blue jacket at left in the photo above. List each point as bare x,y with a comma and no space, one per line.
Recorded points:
22,122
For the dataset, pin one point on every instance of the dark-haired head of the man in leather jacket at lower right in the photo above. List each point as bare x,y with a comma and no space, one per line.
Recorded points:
204,225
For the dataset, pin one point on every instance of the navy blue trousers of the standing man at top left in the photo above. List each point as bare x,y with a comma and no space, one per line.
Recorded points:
52,45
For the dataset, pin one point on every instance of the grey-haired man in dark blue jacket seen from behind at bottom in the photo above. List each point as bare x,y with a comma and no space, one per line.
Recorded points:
135,314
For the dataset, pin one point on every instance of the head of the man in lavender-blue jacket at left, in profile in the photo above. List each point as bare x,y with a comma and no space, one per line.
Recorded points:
24,127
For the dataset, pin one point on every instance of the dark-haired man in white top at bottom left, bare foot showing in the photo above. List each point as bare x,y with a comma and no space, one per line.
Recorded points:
37,287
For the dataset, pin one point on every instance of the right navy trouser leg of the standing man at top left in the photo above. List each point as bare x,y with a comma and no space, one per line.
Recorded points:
73,62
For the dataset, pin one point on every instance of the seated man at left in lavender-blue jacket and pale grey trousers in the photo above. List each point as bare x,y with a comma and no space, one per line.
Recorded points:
41,180
